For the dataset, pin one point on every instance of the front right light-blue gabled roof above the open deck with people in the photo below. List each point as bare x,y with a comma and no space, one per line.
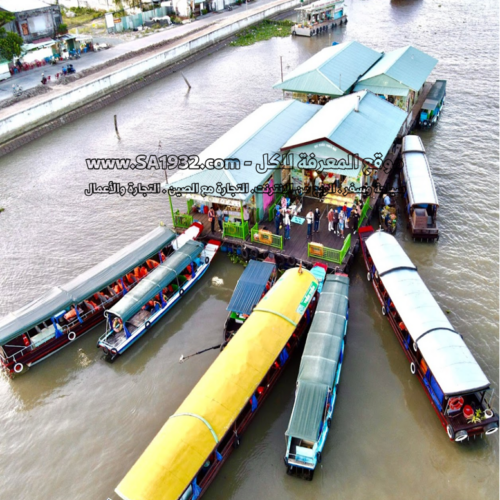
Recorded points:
366,132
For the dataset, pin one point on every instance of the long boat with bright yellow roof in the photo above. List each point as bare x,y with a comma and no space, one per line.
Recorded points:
192,446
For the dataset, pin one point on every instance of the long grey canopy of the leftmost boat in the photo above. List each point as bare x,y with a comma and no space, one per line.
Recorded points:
57,299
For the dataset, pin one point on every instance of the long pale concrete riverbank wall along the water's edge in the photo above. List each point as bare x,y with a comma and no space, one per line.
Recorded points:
30,119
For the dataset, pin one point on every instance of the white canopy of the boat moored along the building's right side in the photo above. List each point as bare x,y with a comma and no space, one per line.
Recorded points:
419,182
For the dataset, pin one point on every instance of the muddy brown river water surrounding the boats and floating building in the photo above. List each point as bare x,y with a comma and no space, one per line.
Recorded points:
74,425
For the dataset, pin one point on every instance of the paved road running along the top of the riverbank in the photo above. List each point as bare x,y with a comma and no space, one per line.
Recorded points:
32,78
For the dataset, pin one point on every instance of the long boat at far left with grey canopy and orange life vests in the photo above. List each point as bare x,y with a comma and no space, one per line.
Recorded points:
62,314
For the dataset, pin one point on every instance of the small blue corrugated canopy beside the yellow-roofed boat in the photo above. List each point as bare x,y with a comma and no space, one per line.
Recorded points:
250,286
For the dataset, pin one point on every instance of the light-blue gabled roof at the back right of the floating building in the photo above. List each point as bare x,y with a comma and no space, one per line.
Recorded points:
407,66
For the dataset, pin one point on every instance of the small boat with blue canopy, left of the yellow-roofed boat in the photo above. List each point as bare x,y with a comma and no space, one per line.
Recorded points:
255,281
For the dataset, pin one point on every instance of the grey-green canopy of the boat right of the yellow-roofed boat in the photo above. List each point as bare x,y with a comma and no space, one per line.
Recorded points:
320,359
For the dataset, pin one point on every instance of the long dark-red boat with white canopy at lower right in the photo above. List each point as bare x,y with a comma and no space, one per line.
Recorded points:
456,386
